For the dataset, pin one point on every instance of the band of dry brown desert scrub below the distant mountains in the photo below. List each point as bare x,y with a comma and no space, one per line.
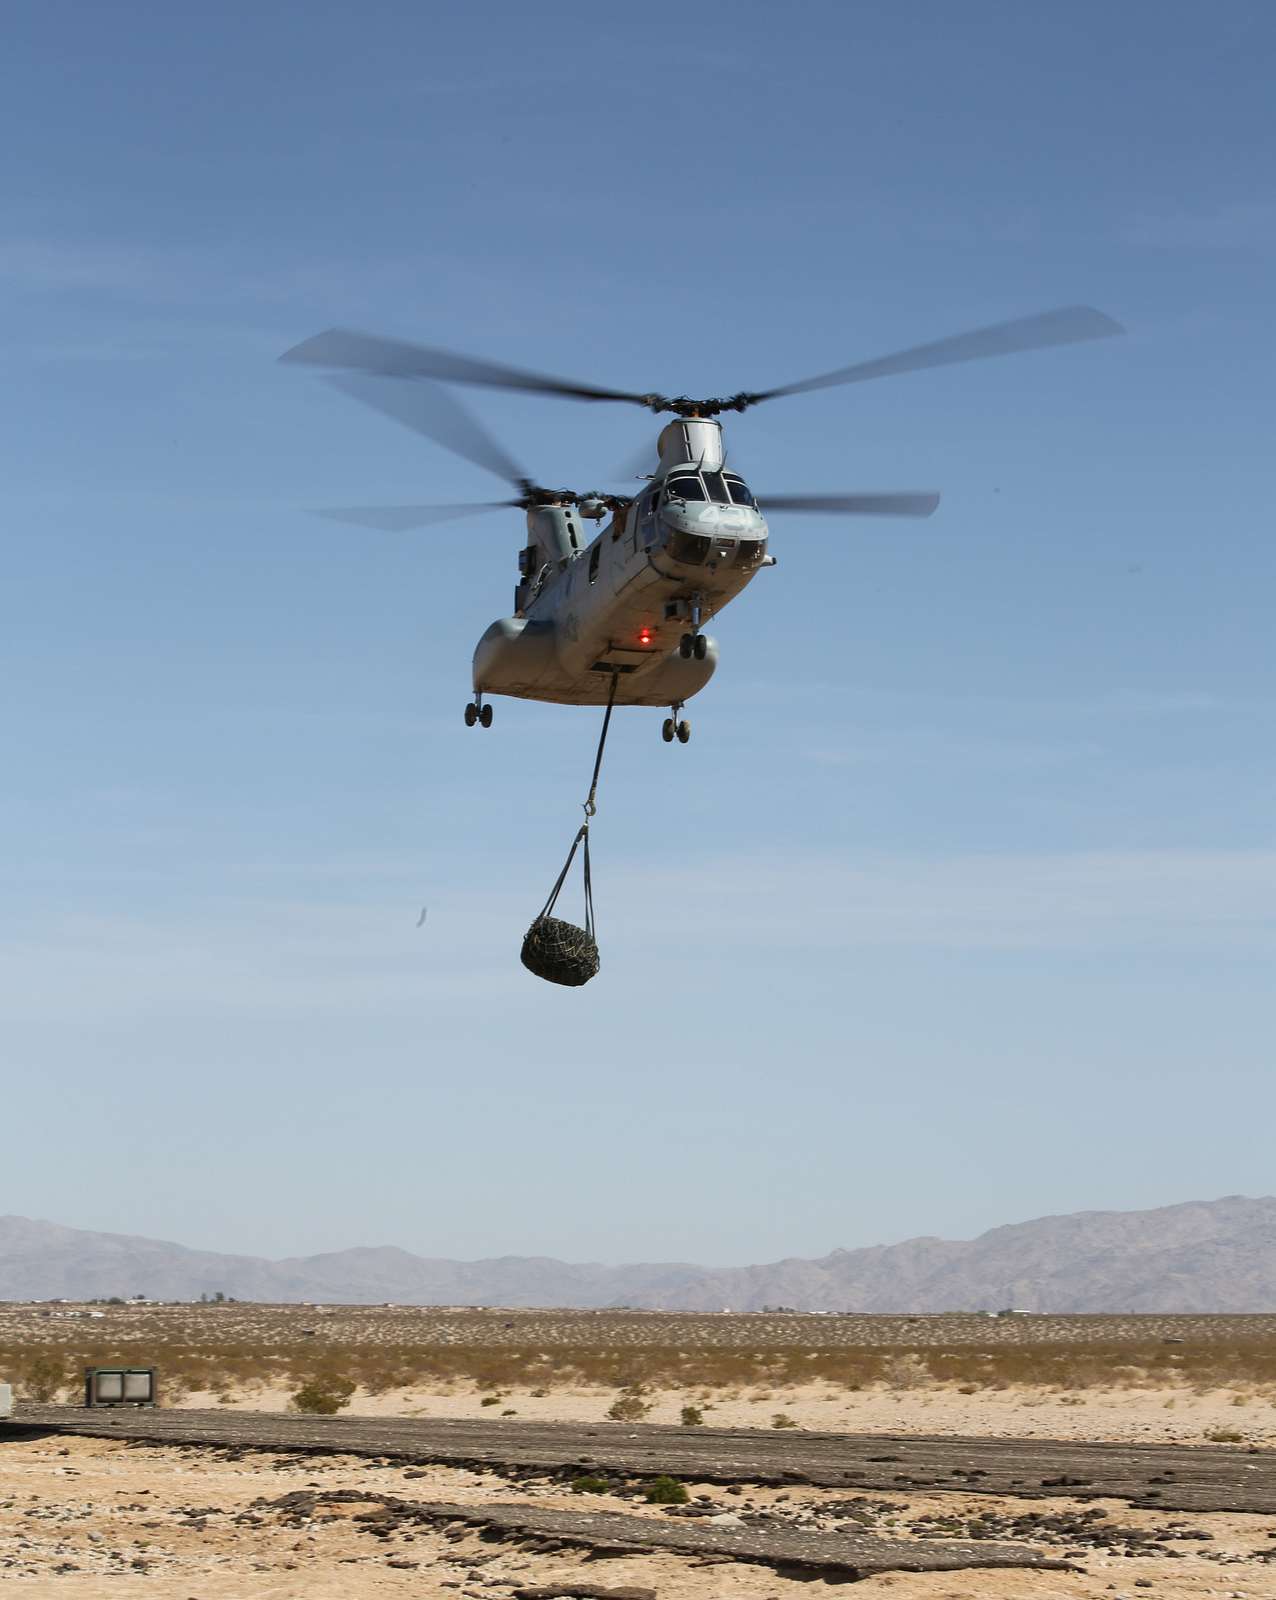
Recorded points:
229,1348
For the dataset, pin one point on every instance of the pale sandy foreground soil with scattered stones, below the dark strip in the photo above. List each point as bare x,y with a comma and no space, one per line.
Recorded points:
97,1519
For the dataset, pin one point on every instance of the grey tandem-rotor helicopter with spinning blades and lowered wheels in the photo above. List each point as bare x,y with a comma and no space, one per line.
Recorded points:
620,617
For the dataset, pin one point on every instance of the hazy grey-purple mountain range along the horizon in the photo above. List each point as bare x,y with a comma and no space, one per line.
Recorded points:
1202,1257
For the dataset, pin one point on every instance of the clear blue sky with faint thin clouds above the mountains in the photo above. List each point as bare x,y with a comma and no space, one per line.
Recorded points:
959,910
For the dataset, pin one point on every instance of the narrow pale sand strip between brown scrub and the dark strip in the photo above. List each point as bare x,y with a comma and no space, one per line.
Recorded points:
1122,1415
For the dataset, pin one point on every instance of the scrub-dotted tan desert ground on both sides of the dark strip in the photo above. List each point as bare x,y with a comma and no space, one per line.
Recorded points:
86,1518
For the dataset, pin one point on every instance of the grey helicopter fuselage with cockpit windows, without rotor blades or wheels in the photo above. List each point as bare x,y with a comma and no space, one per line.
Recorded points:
624,606
